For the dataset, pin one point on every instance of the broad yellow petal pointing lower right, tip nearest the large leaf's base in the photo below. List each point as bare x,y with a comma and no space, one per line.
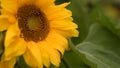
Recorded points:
57,41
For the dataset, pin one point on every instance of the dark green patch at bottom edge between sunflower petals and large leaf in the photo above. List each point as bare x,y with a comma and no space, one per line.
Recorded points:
72,60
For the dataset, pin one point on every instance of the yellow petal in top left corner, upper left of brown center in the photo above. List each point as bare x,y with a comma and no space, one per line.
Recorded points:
10,5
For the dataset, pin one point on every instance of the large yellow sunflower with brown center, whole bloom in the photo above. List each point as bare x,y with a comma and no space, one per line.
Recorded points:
37,30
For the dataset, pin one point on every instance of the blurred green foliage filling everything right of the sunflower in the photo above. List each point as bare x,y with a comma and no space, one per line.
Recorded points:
98,44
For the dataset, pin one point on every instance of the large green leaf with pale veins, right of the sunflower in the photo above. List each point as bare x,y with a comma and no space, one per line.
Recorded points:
101,47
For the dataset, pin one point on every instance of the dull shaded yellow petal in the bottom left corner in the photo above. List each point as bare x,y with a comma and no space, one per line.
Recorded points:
8,64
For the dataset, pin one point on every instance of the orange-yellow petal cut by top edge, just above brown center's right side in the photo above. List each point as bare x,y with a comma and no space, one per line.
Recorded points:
43,4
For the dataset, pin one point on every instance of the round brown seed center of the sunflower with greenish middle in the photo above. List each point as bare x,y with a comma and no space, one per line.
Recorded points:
33,23
